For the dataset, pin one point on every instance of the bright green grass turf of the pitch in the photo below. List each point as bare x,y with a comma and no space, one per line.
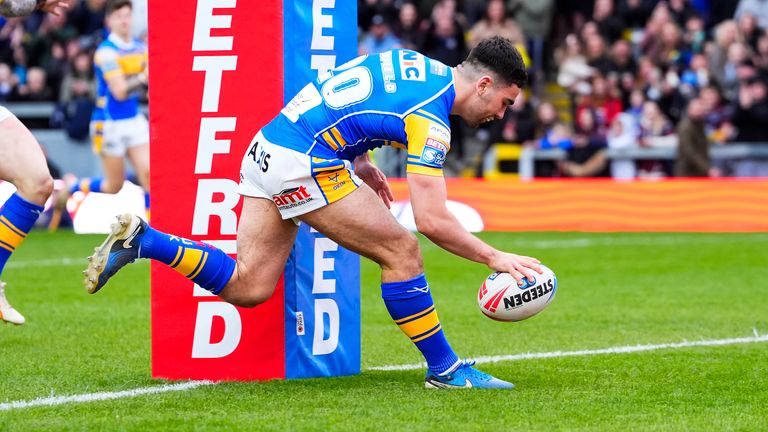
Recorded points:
615,290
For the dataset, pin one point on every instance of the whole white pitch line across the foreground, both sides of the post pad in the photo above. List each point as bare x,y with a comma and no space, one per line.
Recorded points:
90,397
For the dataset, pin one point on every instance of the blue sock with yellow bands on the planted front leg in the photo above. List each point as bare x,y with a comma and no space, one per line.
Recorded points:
410,304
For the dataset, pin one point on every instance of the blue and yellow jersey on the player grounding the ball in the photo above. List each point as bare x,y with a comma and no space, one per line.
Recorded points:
399,98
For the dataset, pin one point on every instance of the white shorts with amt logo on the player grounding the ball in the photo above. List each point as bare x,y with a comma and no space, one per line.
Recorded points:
296,182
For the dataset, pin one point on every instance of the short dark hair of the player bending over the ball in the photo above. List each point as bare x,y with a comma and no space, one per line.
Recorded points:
499,55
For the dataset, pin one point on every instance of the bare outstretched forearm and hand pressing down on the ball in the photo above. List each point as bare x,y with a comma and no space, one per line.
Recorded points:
428,197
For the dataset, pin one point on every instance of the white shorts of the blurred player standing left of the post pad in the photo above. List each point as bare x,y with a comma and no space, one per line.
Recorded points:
115,137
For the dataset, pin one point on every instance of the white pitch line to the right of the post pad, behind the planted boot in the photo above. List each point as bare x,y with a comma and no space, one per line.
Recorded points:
612,350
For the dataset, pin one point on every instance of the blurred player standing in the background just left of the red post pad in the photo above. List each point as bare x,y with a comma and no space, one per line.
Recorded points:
118,128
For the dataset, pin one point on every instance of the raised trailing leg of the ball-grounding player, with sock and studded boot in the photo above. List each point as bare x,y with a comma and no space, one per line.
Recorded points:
264,242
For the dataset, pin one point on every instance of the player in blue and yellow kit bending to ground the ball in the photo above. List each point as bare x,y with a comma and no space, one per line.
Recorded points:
298,166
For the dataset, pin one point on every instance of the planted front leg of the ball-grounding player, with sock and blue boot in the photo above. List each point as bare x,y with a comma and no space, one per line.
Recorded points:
361,222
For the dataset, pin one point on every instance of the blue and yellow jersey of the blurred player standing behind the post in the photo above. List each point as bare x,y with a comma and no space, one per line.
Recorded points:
114,56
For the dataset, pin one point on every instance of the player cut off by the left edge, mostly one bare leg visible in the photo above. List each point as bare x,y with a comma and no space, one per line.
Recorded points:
22,163
